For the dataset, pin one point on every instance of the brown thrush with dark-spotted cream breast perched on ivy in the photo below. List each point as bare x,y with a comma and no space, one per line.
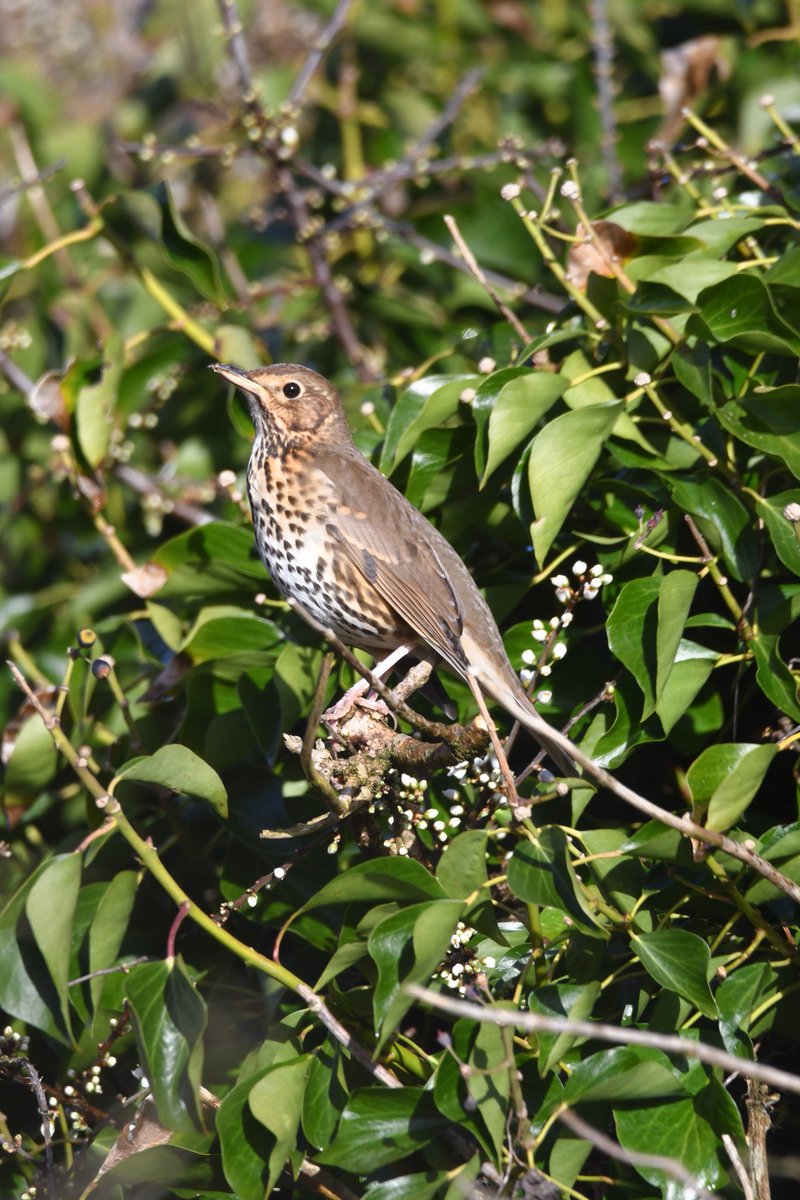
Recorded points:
347,548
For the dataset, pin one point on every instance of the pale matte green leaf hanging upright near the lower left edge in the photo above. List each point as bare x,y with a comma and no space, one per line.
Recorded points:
51,910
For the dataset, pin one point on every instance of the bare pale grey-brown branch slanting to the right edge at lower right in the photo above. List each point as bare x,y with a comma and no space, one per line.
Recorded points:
536,1023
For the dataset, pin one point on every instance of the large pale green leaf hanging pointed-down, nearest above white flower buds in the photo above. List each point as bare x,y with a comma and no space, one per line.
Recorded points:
562,459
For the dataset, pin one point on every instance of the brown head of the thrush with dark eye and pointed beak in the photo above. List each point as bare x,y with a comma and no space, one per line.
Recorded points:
291,406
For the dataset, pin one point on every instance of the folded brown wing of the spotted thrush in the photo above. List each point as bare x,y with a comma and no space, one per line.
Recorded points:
394,549
